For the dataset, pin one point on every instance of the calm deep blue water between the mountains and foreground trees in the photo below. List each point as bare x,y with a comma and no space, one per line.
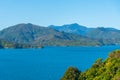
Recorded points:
48,63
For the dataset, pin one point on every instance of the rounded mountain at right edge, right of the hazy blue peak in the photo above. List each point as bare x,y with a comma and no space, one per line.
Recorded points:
105,35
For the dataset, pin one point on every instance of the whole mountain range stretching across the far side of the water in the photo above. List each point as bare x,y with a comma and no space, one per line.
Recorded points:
66,35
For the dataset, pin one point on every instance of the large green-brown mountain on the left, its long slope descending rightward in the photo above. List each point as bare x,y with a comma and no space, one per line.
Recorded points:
38,35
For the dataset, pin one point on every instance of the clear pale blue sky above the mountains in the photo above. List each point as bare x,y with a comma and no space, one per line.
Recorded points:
91,13
